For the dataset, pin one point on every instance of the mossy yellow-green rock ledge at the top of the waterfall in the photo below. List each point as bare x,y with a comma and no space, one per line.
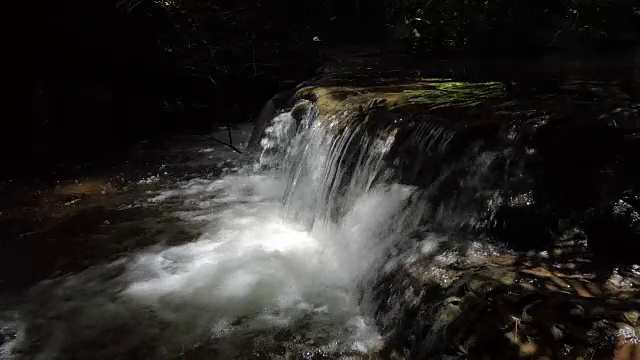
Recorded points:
458,102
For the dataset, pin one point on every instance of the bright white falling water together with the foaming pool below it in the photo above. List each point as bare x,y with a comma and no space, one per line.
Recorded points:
287,244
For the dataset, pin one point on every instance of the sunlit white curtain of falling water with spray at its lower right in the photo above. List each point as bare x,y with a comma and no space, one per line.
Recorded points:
342,178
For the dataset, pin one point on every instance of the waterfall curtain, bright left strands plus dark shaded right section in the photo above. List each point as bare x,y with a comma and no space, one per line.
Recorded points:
329,161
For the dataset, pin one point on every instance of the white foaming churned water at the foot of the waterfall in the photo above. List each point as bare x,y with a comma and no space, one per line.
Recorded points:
252,272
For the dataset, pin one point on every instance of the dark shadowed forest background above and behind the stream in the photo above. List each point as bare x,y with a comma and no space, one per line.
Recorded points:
105,73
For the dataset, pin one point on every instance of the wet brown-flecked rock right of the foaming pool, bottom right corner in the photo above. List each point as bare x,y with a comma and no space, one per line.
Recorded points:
480,315
